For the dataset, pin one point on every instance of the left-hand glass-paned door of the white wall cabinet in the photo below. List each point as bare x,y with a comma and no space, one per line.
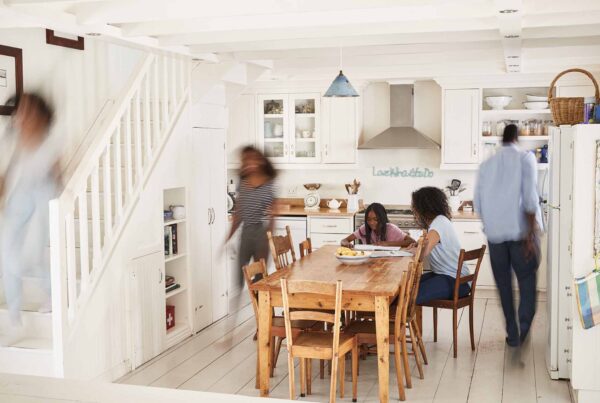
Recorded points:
273,126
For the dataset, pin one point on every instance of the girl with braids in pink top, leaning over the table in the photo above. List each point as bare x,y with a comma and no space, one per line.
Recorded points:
378,230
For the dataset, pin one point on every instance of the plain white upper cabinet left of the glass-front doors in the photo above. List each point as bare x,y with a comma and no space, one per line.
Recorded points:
241,130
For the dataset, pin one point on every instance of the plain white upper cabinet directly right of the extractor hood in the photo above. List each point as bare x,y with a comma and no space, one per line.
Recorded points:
460,131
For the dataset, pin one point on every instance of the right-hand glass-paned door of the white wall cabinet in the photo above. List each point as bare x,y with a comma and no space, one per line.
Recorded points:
304,112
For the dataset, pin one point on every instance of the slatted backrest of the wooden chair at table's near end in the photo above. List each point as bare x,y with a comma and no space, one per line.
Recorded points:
322,289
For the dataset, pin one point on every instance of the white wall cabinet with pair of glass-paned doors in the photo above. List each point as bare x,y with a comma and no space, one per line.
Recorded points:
288,127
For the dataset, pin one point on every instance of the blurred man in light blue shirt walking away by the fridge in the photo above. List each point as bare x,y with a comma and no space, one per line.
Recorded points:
506,198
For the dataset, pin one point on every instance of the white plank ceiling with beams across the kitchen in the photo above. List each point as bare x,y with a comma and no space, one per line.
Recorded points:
381,39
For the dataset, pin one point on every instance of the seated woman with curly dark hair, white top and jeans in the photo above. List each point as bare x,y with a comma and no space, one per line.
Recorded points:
442,247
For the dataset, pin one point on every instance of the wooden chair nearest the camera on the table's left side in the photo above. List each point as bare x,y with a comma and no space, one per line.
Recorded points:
253,273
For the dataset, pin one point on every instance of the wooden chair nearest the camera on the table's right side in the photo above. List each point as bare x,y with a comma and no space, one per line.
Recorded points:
365,330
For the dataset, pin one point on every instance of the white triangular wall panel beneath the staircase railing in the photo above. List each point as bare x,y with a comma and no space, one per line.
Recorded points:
100,346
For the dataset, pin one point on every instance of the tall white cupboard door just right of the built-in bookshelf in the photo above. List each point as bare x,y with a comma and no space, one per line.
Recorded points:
209,226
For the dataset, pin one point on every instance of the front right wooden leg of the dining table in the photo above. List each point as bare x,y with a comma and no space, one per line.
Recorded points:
382,324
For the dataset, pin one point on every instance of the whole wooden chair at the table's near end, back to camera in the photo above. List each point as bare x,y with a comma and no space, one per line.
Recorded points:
333,345
